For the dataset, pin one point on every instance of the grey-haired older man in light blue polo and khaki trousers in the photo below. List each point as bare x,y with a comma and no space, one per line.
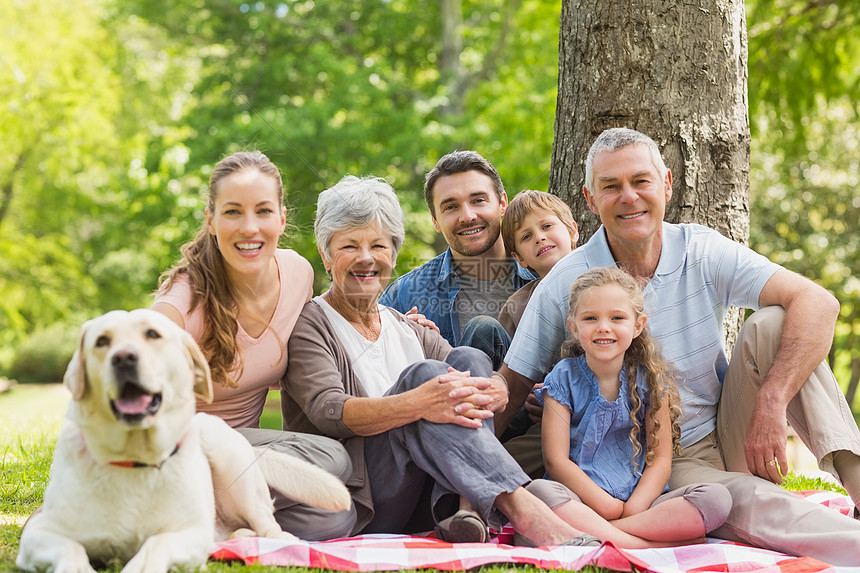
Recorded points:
734,423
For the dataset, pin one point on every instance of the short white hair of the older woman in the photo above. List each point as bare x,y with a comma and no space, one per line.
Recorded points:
356,202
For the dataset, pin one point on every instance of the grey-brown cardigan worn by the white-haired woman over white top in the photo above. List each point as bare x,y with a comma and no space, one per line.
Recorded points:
319,379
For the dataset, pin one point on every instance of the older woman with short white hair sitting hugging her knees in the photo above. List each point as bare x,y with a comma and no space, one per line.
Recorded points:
413,413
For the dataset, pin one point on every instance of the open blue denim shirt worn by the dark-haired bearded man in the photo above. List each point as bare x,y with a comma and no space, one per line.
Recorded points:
433,288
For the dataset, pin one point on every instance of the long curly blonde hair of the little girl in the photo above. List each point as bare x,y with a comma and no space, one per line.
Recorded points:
643,353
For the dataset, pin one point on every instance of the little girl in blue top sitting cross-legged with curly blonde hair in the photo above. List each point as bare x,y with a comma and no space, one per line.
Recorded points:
610,423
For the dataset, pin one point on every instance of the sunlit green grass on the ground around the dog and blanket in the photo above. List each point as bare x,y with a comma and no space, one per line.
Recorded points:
30,417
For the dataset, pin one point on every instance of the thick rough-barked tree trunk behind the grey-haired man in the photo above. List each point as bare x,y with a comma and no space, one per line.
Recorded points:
675,71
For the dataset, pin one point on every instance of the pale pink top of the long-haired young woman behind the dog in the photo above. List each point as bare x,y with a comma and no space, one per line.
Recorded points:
265,357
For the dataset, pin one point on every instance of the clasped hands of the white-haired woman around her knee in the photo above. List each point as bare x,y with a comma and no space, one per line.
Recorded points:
455,398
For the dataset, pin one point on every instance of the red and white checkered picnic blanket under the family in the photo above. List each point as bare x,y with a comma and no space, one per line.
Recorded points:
397,552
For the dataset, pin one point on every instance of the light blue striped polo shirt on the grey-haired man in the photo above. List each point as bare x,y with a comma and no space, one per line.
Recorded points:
700,274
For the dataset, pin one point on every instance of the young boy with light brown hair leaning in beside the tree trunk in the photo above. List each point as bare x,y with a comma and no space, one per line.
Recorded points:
538,230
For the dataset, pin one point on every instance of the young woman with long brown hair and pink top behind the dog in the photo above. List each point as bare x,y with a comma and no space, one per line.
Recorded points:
239,295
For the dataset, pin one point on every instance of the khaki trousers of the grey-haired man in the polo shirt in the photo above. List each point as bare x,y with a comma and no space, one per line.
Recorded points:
764,514
